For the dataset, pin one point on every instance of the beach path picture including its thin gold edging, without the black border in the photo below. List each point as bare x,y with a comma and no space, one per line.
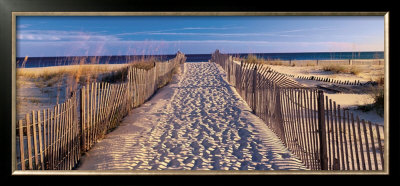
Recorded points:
199,93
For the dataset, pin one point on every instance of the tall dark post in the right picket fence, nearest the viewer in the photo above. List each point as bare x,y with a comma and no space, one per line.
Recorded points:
322,131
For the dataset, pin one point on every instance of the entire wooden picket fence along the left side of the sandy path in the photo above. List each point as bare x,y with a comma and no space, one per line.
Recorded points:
55,139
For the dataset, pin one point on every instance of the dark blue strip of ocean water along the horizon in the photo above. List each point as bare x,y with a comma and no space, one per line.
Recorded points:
32,62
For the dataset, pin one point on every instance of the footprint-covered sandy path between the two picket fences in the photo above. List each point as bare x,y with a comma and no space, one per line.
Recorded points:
198,122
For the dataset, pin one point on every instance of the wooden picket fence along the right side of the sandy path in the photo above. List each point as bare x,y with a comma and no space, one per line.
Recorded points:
323,136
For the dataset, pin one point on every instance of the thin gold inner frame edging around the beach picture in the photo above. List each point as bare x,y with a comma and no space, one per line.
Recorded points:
172,172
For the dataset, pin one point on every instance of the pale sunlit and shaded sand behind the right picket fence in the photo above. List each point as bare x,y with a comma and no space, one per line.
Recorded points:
351,99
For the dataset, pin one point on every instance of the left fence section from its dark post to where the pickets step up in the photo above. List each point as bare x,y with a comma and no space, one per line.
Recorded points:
103,105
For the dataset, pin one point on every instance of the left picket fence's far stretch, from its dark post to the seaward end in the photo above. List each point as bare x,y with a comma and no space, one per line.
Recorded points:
104,105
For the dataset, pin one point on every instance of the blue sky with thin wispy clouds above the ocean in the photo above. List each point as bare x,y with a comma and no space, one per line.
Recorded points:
137,35
